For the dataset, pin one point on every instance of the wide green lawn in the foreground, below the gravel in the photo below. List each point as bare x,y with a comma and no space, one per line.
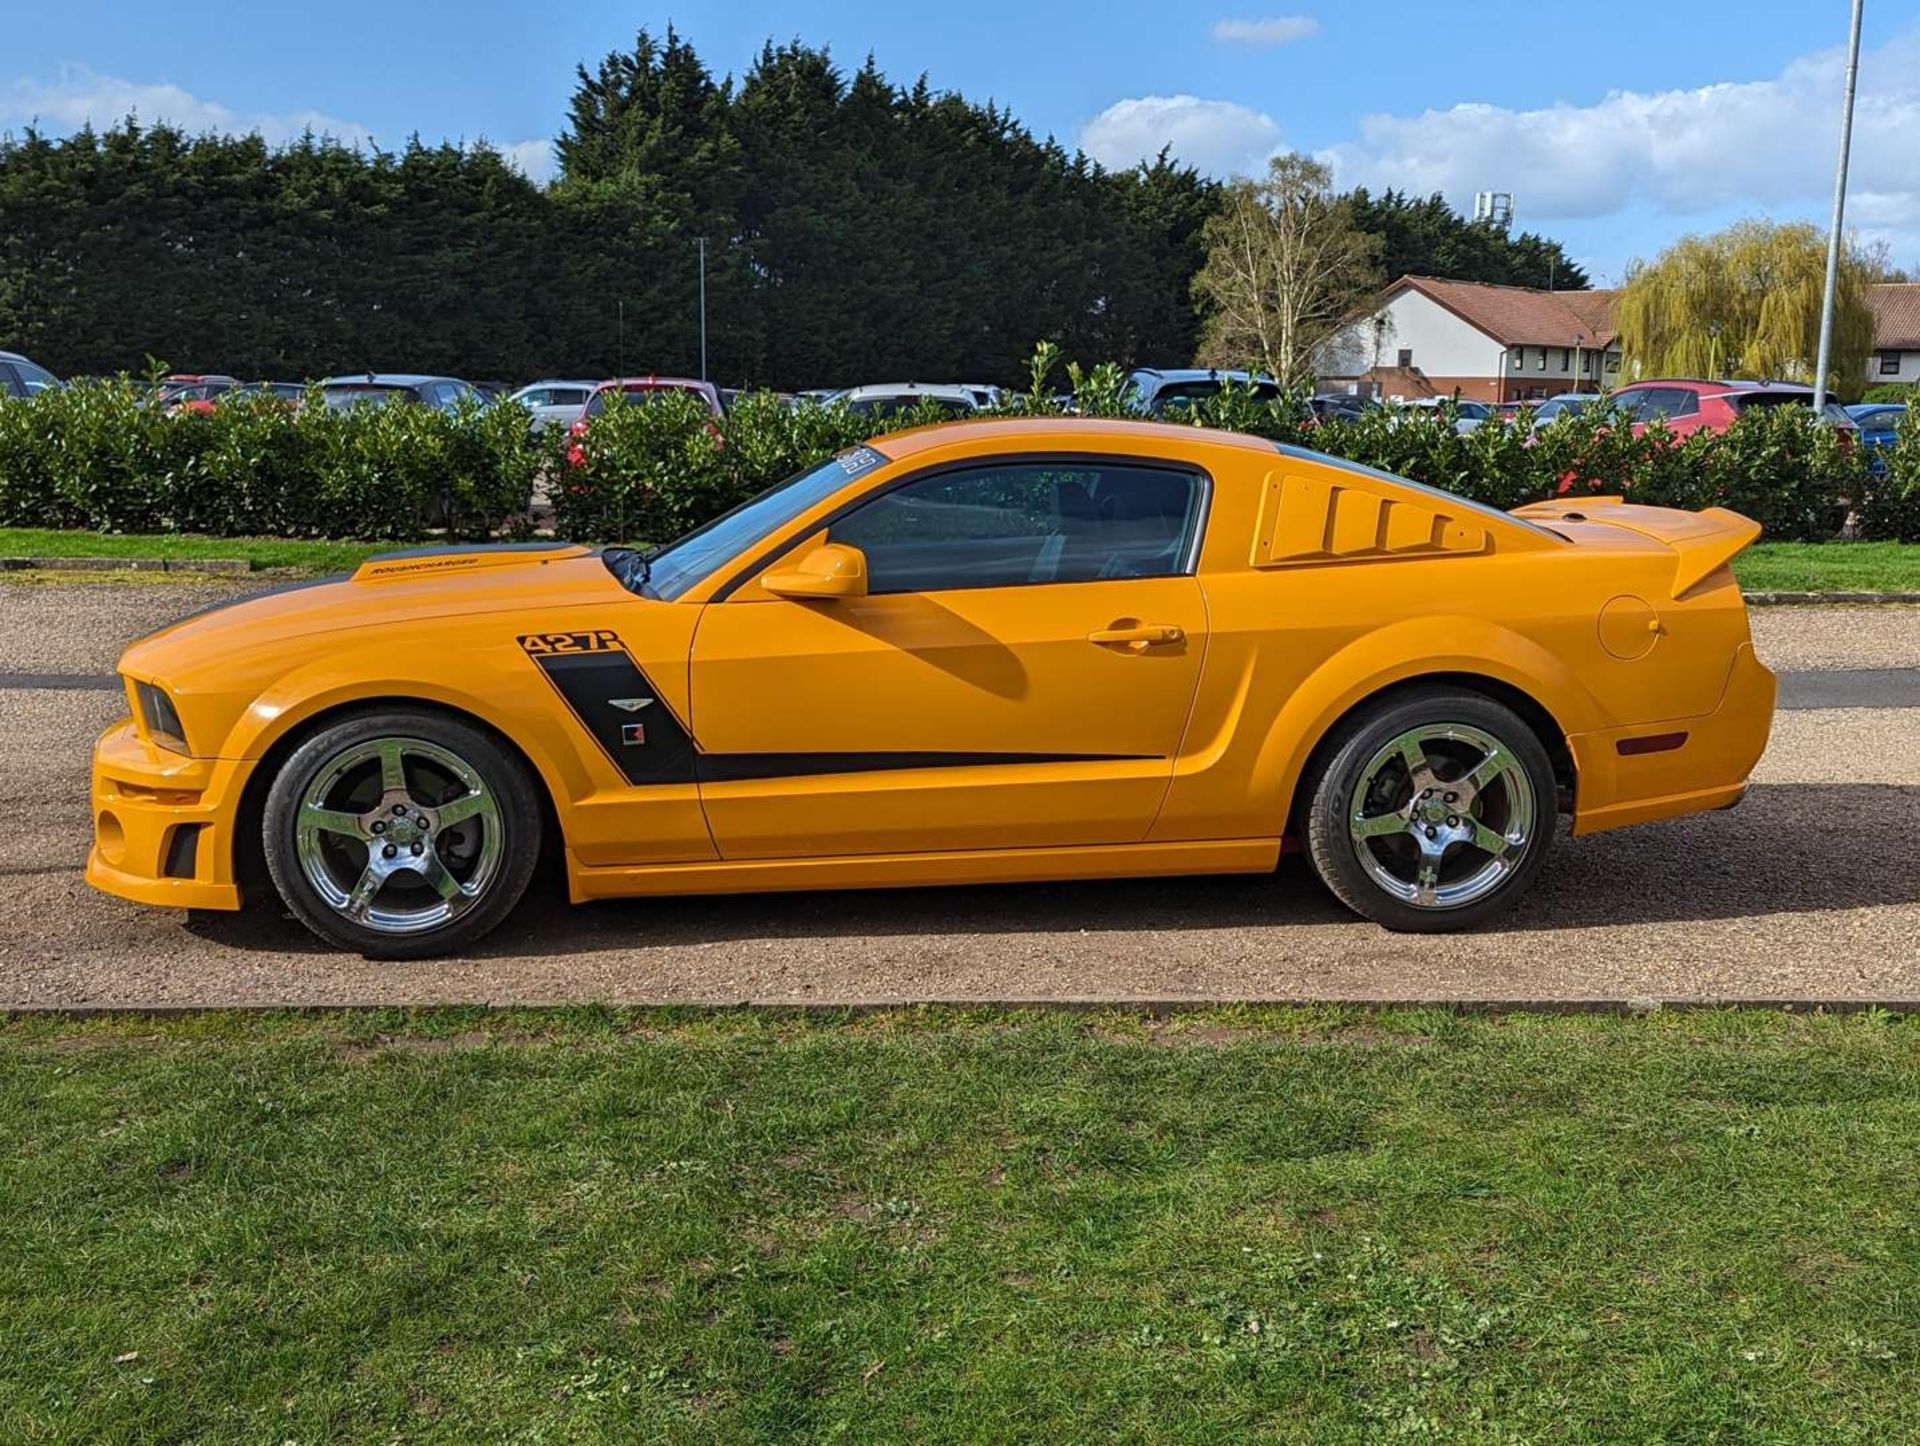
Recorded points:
932,1226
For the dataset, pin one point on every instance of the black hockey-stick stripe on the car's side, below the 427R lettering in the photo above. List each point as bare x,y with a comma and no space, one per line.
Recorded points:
648,744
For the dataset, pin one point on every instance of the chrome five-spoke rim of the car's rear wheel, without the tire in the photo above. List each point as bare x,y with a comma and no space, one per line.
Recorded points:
1441,815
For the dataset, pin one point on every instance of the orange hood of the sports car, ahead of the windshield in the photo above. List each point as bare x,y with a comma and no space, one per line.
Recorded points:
383,592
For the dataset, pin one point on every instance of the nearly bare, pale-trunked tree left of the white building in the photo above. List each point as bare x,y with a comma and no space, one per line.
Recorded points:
1285,268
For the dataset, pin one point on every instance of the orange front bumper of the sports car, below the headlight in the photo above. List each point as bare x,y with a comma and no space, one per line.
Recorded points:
164,825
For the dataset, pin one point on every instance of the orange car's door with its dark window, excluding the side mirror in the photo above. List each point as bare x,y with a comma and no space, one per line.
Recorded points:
1019,673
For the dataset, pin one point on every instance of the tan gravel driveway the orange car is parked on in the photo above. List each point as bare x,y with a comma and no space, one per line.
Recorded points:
1812,890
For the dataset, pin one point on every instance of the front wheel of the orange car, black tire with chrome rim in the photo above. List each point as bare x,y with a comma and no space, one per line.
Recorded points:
487,857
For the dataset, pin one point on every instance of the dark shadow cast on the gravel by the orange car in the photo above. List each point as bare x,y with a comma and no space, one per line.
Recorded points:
1790,848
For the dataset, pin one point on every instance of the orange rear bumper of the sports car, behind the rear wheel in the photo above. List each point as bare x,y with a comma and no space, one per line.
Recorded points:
1708,771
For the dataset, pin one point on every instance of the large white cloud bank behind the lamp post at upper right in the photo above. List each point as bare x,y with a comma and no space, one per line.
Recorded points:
1687,153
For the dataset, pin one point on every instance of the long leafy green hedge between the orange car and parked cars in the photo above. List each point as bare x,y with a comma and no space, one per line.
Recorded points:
95,456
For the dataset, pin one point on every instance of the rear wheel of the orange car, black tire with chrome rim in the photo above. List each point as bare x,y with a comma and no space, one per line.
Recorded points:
1489,882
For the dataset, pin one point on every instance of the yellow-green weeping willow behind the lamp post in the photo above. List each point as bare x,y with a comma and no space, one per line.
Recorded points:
1746,302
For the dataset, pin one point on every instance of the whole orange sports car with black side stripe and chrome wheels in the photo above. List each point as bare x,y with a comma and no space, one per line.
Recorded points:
980,652
